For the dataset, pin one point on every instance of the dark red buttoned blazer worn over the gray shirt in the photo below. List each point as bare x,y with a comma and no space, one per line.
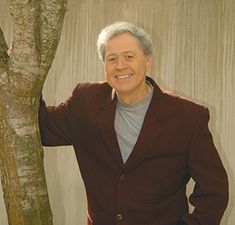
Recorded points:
174,145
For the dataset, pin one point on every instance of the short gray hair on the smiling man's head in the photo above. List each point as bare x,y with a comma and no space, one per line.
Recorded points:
118,28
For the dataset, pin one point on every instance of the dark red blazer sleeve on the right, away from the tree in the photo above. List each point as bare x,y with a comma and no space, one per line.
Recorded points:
210,194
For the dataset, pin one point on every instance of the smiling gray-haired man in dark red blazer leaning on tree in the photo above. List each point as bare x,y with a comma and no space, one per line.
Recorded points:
136,146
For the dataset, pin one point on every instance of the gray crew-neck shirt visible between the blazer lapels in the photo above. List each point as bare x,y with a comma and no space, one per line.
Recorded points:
128,123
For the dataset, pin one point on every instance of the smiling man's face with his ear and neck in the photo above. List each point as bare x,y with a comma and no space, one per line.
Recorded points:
126,65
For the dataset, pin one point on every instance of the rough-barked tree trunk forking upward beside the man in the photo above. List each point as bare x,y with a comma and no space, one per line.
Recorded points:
37,29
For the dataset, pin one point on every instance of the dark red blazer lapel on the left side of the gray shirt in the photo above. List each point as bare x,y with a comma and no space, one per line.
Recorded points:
105,123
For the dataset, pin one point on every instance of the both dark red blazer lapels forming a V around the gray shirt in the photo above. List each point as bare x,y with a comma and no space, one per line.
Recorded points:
150,132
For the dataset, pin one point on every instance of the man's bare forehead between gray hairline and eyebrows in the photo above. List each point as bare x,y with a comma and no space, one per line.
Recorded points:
124,42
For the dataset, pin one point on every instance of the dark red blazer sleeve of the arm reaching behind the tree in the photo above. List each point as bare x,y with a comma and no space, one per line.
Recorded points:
54,124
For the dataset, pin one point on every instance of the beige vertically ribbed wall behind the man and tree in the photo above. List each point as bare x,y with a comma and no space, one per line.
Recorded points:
194,56
